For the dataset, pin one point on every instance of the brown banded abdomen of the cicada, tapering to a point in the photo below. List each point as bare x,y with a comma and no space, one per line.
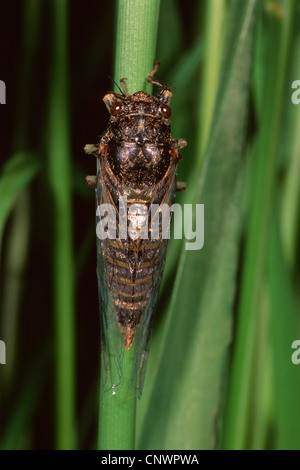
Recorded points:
131,272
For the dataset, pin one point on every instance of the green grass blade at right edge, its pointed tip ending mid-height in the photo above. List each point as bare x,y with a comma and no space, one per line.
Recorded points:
284,330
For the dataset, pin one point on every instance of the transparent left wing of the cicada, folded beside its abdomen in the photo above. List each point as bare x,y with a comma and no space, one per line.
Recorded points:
112,348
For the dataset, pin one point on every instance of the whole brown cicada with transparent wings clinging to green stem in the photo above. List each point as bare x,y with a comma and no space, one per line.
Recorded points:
137,160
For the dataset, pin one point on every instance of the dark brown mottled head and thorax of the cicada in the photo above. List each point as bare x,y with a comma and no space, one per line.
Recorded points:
139,142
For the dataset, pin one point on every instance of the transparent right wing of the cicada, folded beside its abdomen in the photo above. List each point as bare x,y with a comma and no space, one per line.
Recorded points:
142,337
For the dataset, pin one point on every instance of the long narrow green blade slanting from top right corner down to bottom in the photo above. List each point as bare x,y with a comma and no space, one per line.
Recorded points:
238,411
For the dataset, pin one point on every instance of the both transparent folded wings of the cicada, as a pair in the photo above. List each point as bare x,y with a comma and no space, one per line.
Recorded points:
112,346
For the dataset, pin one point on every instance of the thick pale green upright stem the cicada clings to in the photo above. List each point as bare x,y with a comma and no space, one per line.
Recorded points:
135,53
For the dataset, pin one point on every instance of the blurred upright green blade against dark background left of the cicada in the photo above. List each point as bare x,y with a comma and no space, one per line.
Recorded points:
59,174
